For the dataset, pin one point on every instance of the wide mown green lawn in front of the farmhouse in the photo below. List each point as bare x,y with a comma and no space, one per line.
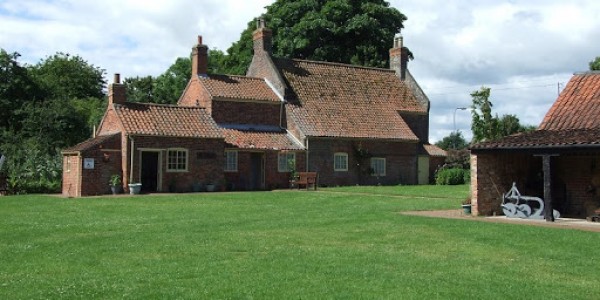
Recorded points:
344,243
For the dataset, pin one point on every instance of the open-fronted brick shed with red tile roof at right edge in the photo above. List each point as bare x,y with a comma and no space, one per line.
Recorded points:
568,140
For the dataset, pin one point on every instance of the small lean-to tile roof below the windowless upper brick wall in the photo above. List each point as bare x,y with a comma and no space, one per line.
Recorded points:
261,140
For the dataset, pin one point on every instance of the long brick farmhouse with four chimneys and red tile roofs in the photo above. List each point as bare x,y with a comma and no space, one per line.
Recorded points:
351,124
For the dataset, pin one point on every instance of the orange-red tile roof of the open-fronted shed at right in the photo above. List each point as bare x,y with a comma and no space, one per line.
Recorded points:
573,120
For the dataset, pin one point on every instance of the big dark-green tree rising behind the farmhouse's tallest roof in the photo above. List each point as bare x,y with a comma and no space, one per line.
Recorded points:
354,32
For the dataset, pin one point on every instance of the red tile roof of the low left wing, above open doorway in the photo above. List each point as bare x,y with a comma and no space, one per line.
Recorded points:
167,120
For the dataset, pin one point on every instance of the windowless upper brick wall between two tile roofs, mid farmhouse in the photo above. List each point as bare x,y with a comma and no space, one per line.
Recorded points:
246,113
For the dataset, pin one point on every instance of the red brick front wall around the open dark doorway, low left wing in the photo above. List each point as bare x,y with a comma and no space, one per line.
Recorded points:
200,170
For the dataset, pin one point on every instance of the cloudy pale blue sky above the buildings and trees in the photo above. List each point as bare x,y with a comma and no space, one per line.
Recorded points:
525,50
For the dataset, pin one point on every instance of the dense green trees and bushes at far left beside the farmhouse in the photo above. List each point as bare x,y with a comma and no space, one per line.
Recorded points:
43,109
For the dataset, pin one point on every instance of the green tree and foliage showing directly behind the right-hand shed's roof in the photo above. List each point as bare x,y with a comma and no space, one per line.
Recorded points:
486,127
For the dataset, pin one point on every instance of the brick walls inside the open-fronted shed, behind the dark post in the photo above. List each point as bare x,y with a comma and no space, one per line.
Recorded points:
574,181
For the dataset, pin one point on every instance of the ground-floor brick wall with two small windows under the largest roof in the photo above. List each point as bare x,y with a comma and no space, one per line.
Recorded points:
401,162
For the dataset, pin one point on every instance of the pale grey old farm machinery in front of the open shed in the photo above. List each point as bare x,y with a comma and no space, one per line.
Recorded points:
514,205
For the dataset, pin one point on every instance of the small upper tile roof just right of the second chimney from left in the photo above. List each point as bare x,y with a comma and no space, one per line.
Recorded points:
239,88
